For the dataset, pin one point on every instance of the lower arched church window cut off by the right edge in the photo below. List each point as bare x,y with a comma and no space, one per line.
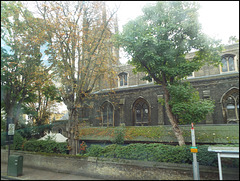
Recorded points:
230,105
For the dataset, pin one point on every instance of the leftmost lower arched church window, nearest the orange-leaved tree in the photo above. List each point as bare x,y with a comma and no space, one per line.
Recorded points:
107,113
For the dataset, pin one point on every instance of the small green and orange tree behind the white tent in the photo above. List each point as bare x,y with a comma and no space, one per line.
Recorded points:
41,104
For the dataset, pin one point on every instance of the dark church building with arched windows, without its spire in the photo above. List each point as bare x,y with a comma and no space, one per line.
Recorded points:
134,102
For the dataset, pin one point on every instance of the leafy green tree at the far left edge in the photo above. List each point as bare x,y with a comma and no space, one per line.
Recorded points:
19,65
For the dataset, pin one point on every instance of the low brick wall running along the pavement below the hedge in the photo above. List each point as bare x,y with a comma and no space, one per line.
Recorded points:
118,169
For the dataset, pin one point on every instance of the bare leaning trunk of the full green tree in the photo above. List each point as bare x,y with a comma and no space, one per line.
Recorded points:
173,120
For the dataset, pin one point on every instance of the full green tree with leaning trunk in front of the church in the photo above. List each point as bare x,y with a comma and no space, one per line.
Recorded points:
158,42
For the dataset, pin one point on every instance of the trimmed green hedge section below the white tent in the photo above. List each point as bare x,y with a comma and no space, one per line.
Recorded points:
48,146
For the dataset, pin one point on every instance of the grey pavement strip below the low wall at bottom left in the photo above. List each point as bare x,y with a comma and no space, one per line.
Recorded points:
35,174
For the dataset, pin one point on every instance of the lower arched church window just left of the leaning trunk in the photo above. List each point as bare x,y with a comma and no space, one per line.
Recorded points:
141,113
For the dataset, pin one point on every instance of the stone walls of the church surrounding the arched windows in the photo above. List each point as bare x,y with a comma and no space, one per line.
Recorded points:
209,81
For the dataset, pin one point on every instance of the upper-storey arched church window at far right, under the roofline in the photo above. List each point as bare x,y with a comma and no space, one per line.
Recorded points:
228,63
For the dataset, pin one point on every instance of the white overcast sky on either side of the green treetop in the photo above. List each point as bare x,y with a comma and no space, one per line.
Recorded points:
219,19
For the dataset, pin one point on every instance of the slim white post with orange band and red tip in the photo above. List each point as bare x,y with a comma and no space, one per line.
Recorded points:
194,150
